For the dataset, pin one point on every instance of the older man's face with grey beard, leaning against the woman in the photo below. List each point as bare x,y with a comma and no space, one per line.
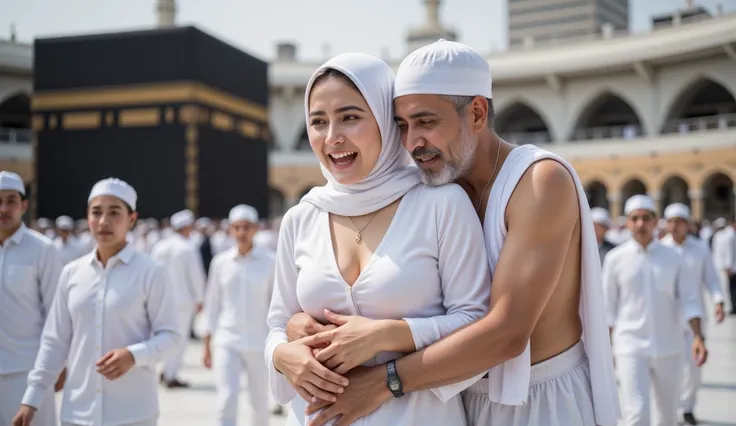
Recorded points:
436,136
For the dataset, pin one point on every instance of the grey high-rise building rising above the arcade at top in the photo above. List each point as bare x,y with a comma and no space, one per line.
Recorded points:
548,20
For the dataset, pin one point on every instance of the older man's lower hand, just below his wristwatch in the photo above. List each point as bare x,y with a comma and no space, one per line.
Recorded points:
366,392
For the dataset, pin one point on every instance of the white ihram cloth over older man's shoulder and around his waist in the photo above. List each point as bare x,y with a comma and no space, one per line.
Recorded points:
511,390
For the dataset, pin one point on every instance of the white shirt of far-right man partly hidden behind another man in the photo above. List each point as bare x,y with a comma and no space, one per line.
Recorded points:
697,257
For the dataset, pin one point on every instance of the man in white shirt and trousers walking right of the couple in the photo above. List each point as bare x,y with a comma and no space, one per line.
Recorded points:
649,290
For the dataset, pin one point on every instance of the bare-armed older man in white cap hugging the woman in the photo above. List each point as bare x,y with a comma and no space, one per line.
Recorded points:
544,328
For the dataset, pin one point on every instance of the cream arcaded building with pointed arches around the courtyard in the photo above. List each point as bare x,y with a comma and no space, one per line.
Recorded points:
647,113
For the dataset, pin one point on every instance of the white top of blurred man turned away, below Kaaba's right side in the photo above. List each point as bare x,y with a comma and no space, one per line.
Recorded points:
185,267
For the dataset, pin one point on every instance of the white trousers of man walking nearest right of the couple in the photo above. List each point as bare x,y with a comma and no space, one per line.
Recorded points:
637,376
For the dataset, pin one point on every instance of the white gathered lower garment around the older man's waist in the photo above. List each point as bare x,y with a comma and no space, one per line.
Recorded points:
560,394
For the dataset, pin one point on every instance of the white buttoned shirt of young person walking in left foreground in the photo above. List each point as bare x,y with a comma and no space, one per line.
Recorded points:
127,304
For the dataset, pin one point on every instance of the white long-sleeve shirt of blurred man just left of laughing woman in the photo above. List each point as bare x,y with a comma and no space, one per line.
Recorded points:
239,291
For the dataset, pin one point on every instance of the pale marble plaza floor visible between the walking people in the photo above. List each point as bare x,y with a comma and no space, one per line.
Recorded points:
716,405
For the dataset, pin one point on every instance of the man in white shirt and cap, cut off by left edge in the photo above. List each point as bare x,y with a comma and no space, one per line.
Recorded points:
29,273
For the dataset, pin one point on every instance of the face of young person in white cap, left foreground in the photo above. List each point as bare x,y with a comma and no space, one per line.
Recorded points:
109,220
